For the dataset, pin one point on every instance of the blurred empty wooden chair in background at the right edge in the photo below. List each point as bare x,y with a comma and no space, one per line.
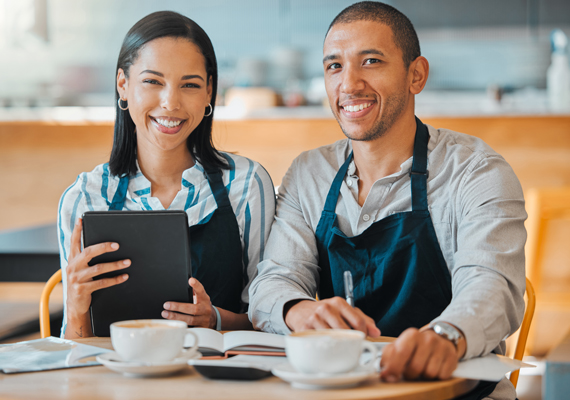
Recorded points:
548,263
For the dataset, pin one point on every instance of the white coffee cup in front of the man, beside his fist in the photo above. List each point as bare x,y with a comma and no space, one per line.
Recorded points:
327,351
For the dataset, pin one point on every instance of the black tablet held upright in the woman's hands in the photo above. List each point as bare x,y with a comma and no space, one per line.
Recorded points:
158,245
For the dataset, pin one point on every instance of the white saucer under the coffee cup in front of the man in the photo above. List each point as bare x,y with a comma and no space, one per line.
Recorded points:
322,381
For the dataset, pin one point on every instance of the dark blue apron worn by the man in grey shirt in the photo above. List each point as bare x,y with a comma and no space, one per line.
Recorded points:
400,276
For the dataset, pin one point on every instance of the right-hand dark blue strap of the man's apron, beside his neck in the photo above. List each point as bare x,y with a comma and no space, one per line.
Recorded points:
419,173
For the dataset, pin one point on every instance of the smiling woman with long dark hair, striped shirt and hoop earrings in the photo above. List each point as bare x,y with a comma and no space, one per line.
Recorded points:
163,158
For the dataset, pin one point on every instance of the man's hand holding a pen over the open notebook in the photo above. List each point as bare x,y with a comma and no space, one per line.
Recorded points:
333,313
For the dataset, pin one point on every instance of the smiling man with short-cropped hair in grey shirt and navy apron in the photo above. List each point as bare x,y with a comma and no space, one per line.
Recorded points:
429,221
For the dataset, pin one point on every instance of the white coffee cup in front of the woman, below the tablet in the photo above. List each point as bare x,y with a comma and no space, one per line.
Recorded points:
151,340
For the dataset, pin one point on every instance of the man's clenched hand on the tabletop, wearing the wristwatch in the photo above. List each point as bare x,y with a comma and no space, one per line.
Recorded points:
420,354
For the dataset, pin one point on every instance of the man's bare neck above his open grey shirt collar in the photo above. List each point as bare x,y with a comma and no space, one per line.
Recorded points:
383,156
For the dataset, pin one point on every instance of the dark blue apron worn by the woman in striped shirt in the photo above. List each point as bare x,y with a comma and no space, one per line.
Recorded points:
215,246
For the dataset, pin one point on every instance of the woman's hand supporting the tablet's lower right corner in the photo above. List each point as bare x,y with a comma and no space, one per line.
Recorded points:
201,313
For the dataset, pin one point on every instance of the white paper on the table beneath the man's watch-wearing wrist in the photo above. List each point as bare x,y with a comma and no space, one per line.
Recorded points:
491,367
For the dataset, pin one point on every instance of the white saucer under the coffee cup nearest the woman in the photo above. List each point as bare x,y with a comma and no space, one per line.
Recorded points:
113,362
